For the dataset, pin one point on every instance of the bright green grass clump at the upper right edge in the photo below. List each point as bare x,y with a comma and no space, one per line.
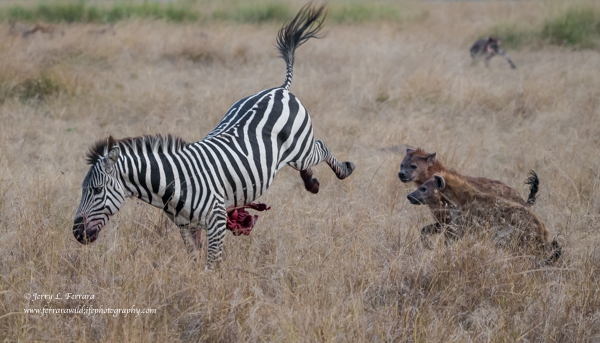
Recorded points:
578,26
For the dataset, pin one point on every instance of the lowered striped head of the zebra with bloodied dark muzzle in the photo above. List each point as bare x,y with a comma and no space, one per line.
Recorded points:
101,191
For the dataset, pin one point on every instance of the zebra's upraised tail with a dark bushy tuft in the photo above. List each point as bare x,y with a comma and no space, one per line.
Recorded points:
307,23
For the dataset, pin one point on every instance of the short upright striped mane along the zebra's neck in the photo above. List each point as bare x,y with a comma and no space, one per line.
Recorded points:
101,147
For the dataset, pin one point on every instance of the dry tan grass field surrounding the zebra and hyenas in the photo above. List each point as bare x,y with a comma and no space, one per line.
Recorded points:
345,265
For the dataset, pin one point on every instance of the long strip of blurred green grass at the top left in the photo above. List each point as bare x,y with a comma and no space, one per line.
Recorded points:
81,12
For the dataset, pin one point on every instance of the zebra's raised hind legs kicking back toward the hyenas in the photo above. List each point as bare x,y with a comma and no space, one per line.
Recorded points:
321,152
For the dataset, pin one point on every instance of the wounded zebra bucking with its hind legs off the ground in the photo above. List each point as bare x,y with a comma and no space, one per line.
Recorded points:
201,185
